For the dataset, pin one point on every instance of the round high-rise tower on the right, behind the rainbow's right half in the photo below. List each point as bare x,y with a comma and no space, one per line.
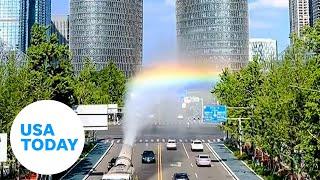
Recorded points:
213,32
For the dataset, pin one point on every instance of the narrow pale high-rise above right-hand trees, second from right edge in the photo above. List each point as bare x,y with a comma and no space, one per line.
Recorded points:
299,15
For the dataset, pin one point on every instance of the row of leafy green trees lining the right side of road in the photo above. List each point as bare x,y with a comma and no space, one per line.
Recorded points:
282,104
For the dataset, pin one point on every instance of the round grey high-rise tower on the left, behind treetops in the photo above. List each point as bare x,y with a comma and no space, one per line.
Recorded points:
105,31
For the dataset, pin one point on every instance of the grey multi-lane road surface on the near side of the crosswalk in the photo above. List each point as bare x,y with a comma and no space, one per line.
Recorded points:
167,163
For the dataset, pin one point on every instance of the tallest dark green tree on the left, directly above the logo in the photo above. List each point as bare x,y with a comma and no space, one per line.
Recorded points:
51,65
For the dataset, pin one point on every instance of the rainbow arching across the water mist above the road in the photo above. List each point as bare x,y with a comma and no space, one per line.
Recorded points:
175,75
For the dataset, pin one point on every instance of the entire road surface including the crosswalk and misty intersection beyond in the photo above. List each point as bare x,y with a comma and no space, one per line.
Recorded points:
167,162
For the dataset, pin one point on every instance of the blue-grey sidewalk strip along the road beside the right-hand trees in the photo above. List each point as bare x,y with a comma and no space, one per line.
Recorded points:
237,167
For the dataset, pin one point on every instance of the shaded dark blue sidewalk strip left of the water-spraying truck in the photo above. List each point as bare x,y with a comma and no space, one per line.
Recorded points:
85,165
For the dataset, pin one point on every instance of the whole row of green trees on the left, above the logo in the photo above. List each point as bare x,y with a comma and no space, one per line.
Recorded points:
48,74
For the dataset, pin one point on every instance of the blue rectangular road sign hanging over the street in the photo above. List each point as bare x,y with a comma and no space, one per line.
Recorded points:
214,114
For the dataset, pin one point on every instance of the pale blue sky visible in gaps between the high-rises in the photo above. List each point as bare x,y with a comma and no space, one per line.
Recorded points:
267,19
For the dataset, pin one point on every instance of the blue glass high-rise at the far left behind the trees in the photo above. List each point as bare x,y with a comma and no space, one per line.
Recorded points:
18,16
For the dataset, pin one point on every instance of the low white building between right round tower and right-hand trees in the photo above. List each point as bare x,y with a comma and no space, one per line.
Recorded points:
264,49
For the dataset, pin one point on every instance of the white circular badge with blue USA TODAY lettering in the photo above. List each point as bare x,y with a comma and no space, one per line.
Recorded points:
47,137
